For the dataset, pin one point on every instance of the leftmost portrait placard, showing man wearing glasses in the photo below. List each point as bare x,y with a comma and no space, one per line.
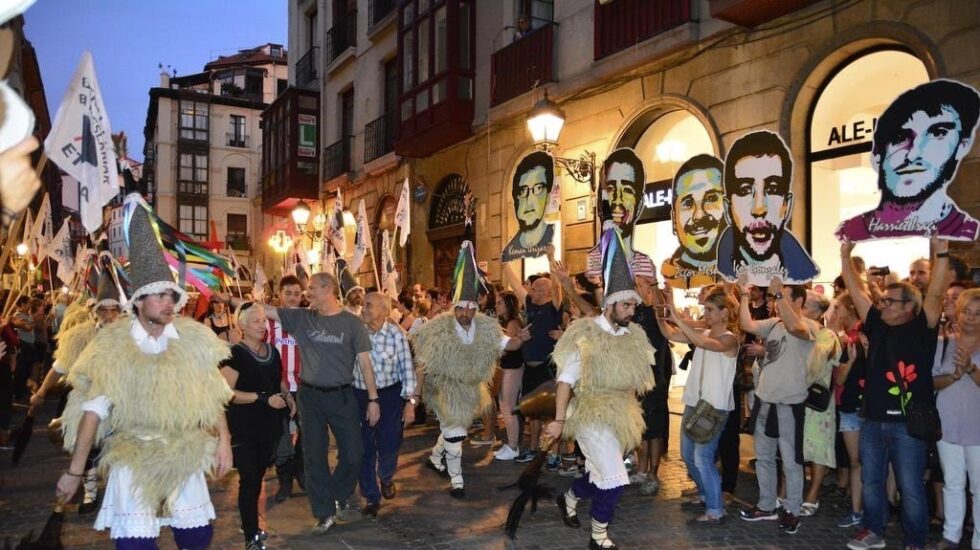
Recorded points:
533,180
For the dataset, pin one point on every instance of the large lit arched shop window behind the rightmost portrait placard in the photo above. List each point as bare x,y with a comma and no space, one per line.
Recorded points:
842,182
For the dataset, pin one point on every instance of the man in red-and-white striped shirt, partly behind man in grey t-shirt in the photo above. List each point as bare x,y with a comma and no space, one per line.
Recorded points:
289,459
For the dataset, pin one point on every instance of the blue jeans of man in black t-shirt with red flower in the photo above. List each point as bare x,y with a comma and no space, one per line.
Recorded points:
889,442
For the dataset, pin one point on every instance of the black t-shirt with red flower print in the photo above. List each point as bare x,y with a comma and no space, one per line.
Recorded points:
907,348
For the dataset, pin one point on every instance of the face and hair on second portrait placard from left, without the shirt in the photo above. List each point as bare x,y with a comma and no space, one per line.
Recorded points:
621,192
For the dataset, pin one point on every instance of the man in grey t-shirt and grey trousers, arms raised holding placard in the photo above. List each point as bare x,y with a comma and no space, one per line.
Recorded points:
781,390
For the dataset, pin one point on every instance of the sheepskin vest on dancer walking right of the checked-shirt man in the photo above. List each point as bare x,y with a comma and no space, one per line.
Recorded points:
457,375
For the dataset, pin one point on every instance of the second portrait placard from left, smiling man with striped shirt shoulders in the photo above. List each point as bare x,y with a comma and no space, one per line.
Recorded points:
620,201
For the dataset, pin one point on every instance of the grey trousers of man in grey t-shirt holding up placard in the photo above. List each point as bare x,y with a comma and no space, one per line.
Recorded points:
765,452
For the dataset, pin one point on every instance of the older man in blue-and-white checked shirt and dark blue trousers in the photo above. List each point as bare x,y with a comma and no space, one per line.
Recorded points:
394,374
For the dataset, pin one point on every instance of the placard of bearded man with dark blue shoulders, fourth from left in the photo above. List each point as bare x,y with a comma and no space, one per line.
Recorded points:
759,202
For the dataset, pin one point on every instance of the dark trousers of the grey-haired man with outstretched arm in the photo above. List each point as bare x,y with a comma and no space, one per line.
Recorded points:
337,410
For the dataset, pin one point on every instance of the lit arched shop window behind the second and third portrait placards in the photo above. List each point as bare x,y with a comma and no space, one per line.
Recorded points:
663,146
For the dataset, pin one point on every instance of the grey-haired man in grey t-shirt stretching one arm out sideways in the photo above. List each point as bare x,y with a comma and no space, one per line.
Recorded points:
331,341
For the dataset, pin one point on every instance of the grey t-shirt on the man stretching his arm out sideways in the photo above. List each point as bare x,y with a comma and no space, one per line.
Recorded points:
328,344
